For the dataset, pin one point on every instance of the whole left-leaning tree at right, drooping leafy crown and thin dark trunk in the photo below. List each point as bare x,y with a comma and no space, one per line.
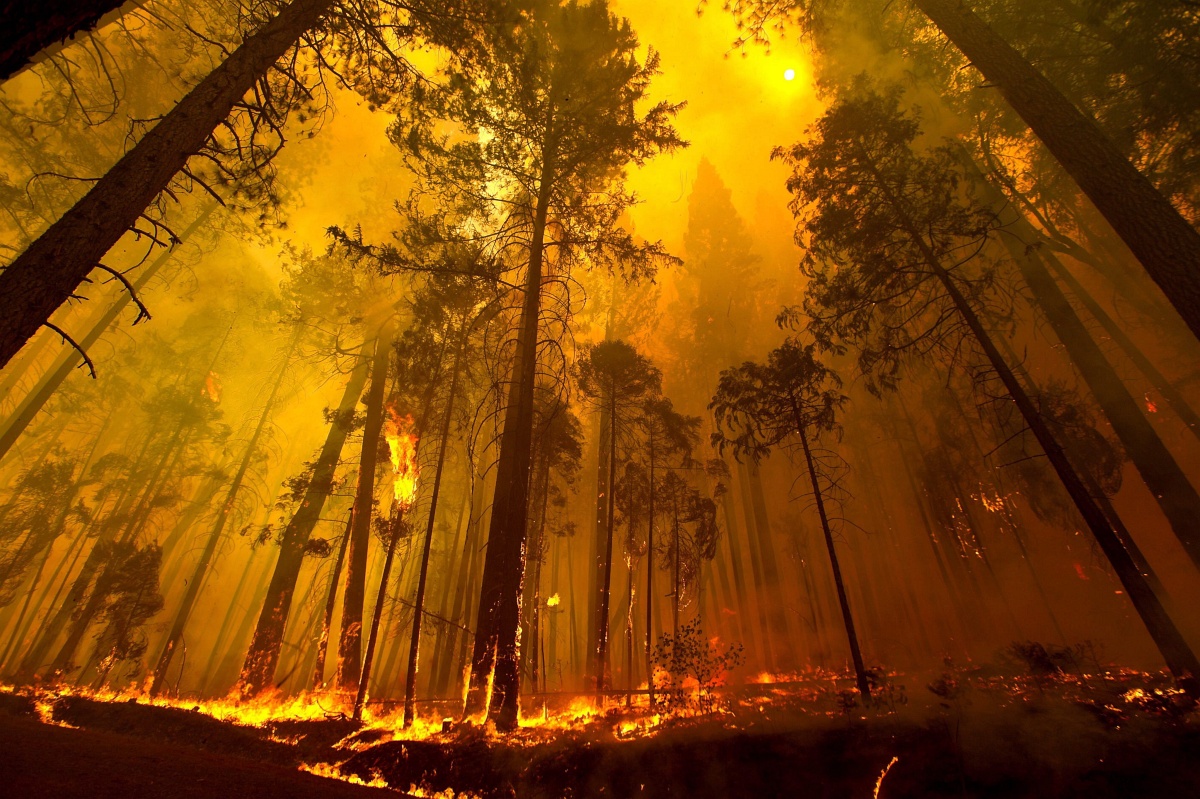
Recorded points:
893,267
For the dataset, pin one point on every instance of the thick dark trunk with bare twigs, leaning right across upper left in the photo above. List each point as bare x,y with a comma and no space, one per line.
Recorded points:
50,272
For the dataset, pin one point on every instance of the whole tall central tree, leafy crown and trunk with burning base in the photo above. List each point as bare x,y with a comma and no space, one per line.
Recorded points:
566,87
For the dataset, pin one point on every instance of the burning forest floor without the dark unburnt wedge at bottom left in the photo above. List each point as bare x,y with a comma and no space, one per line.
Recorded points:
962,734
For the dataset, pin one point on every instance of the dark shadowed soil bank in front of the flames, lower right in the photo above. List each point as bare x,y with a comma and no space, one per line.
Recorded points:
1029,752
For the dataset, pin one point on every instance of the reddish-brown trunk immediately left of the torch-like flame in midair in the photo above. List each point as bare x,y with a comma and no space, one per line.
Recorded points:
350,650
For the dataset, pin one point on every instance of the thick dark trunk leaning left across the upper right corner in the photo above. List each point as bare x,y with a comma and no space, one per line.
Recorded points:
1154,230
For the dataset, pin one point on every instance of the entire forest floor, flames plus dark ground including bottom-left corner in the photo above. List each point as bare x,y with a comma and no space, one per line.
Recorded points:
1123,736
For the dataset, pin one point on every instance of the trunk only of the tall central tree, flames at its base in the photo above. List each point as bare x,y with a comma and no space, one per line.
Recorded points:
495,659
